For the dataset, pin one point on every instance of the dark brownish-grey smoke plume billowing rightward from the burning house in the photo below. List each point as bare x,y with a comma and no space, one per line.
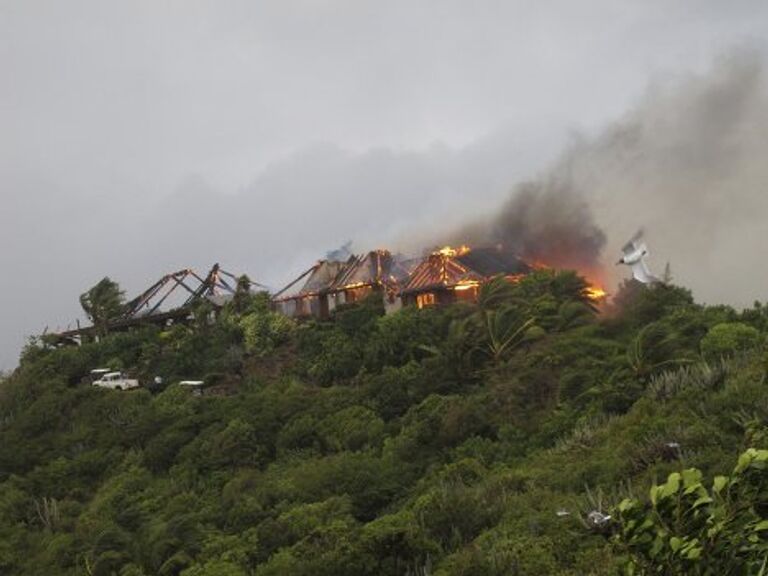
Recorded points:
688,164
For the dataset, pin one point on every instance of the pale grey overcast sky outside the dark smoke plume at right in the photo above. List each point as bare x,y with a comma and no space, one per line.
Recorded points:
141,137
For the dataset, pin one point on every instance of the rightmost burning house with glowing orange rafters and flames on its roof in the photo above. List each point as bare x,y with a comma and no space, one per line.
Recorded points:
451,275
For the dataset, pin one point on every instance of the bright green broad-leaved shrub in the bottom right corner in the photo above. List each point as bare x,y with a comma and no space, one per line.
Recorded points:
689,529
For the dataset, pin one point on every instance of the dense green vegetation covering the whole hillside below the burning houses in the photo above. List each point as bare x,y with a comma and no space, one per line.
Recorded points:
488,439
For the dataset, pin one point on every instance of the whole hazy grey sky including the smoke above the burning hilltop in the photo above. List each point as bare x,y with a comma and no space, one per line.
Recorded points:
141,138
